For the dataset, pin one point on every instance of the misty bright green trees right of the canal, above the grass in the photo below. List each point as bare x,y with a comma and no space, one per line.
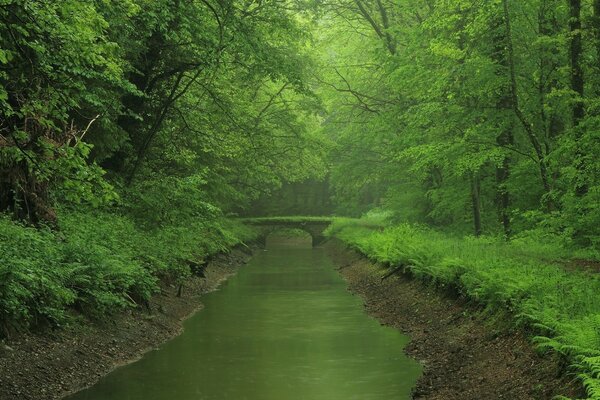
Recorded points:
467,115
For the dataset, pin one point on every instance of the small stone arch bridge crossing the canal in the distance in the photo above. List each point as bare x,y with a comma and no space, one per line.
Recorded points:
315,226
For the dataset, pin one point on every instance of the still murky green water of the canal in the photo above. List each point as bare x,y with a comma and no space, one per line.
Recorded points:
283,328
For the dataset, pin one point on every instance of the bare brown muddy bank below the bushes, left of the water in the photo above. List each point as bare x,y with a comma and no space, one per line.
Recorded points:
52,365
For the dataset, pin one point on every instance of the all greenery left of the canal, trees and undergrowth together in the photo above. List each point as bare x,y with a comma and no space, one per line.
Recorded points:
128,130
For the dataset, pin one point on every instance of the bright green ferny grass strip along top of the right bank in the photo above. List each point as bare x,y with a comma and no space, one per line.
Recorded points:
525,276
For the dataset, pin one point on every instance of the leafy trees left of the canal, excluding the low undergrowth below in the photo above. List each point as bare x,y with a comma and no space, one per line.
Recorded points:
212,95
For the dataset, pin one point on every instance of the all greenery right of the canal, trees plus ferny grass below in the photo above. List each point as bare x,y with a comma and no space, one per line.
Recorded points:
481,118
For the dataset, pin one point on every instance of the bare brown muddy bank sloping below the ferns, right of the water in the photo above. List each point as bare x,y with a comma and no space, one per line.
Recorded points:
466,354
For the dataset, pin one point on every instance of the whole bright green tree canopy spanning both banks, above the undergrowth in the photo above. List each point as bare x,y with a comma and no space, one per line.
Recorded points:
477,116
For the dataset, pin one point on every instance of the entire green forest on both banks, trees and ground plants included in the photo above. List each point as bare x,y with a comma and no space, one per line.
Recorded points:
458,139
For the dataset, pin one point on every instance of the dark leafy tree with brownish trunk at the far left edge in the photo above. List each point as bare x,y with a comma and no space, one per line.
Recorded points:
55,59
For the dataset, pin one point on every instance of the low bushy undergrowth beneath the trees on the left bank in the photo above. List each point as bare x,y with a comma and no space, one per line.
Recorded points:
97,263
